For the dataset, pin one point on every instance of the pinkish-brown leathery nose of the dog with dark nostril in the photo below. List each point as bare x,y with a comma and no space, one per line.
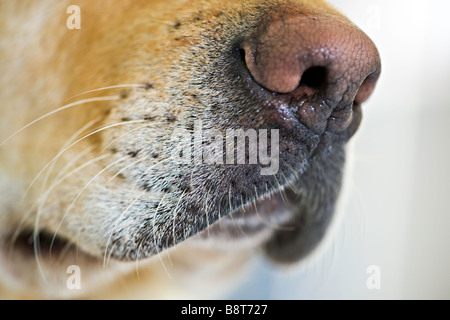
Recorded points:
323,59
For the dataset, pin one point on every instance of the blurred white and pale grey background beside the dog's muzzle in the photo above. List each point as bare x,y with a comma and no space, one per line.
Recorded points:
395,216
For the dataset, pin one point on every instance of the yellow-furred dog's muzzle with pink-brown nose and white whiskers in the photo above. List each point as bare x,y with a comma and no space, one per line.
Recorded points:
152,148
